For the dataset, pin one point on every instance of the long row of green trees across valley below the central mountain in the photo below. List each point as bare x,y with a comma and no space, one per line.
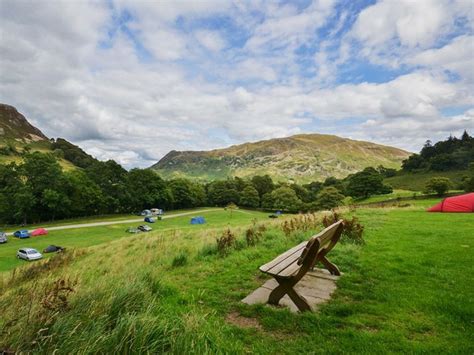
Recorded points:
38,189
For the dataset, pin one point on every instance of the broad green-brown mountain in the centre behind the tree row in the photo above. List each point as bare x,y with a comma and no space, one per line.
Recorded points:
304,157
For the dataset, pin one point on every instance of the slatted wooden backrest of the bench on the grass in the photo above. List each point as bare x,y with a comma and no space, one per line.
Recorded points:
321,243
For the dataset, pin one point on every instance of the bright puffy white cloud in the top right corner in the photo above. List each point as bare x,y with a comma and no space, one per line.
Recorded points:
389,30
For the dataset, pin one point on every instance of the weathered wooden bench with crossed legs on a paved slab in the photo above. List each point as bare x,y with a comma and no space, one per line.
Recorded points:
289,267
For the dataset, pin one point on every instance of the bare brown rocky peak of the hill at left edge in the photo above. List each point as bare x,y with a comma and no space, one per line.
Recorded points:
13,125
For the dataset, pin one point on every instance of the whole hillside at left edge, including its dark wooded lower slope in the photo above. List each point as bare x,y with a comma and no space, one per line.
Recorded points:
17,134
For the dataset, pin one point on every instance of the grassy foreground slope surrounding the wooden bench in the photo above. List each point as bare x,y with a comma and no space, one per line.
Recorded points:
409,289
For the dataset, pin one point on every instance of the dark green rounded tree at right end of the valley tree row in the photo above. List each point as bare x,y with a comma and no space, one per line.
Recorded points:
366,183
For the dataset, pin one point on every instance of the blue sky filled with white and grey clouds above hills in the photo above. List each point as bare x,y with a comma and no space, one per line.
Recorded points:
131,80
